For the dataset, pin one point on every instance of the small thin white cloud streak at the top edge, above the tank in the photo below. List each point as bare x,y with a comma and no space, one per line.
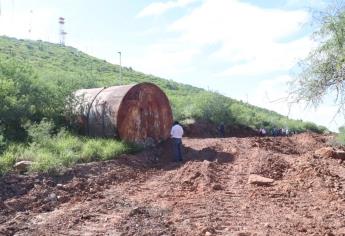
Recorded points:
159,8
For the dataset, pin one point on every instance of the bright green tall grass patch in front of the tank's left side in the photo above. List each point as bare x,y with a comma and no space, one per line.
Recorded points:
63,150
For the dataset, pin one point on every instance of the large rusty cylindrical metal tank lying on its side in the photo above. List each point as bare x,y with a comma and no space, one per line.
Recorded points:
136,113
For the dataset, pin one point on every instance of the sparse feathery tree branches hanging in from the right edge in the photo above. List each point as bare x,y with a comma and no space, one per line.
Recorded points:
323,71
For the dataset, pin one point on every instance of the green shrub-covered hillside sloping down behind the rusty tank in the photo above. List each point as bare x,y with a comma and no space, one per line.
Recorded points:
70,69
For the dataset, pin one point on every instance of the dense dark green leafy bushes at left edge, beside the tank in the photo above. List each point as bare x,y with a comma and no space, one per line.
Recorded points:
26,98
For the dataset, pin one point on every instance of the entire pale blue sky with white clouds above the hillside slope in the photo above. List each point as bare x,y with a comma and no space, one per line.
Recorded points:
246,49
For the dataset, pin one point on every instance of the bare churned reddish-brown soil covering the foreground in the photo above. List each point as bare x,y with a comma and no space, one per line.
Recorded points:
207,194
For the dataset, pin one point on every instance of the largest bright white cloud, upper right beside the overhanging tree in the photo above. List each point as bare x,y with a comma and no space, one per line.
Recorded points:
253,39
